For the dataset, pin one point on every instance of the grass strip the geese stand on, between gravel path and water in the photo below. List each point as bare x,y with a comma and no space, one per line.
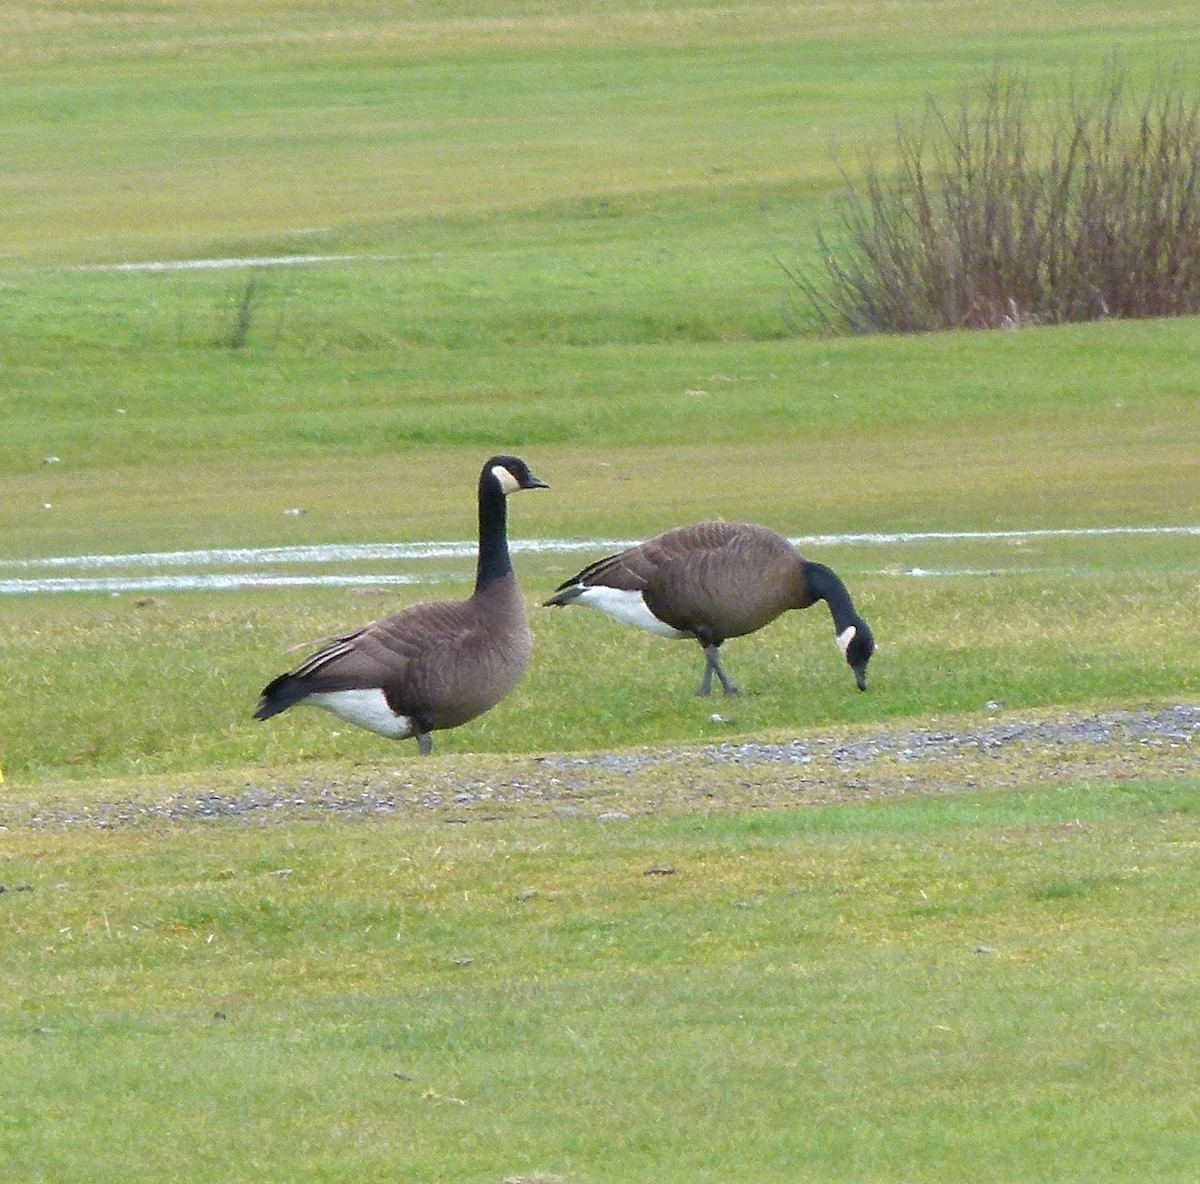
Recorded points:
182,674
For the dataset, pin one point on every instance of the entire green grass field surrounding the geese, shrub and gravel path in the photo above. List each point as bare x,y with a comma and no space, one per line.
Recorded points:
557,230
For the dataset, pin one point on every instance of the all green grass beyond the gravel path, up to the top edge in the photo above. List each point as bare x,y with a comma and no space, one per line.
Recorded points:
626,327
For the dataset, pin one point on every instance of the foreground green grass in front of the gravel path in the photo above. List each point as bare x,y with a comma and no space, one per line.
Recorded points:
979,987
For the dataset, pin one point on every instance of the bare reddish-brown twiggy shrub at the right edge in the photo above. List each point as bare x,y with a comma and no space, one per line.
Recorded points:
994,219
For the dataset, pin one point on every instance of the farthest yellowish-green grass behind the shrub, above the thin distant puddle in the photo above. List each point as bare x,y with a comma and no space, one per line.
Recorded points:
199,125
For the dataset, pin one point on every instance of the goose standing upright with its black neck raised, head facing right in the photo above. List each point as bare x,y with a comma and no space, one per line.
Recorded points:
433,666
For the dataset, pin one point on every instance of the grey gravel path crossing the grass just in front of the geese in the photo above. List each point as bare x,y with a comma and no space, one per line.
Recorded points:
995,753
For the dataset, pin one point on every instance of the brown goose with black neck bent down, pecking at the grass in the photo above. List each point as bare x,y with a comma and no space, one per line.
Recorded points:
715,581
